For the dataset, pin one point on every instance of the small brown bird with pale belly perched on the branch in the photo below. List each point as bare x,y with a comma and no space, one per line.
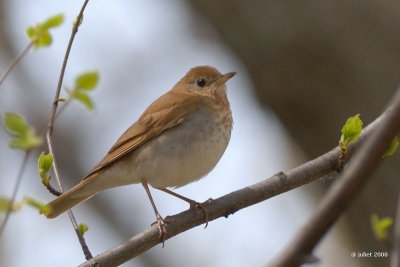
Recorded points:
178,139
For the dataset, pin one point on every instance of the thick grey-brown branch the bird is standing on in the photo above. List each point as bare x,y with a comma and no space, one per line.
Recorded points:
229,204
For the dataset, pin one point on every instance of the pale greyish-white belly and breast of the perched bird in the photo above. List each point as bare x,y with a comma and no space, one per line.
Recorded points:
178,156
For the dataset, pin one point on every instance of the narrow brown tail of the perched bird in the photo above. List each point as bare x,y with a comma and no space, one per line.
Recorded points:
79,193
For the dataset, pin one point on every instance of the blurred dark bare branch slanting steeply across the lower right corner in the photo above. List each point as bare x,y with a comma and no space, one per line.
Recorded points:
343,192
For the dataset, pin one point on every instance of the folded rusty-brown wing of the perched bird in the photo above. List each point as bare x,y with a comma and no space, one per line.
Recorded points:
163,114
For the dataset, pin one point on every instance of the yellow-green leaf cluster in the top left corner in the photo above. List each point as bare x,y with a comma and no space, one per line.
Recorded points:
39,34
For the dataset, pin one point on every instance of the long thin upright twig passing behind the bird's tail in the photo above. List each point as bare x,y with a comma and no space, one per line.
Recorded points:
50,127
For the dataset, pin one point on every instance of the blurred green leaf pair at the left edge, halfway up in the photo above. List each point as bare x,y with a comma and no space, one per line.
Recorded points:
22,135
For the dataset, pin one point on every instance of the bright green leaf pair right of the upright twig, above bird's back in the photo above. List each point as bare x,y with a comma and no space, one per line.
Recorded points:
84,84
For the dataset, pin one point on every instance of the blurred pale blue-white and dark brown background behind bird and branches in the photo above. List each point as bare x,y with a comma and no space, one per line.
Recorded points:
303,68
